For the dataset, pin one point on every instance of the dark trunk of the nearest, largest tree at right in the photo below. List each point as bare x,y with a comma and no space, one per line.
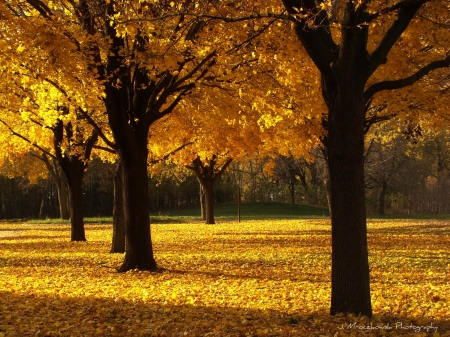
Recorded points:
345,144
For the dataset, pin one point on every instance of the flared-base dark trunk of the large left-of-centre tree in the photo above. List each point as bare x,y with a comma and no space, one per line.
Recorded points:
138,245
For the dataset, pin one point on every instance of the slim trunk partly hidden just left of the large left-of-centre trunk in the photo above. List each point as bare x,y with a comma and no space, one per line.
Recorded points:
118,238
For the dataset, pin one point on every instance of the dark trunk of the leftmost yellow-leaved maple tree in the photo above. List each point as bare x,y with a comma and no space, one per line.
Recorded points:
75,182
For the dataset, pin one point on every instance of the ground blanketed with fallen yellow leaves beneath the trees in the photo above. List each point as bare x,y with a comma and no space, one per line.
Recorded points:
249,279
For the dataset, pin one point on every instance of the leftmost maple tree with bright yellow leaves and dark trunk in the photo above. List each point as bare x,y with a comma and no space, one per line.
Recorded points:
31,115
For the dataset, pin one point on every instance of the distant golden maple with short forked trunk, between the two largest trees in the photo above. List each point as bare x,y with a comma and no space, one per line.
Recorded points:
263,116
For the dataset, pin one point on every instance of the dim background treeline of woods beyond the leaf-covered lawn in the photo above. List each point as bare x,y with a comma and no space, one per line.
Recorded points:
403,177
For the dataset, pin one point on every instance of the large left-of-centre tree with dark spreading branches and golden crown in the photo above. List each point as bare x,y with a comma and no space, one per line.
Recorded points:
142,59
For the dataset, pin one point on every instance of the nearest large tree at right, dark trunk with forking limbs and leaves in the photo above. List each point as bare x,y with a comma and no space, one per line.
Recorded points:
349,43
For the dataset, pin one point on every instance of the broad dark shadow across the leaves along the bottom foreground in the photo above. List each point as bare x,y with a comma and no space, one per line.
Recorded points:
28,315
